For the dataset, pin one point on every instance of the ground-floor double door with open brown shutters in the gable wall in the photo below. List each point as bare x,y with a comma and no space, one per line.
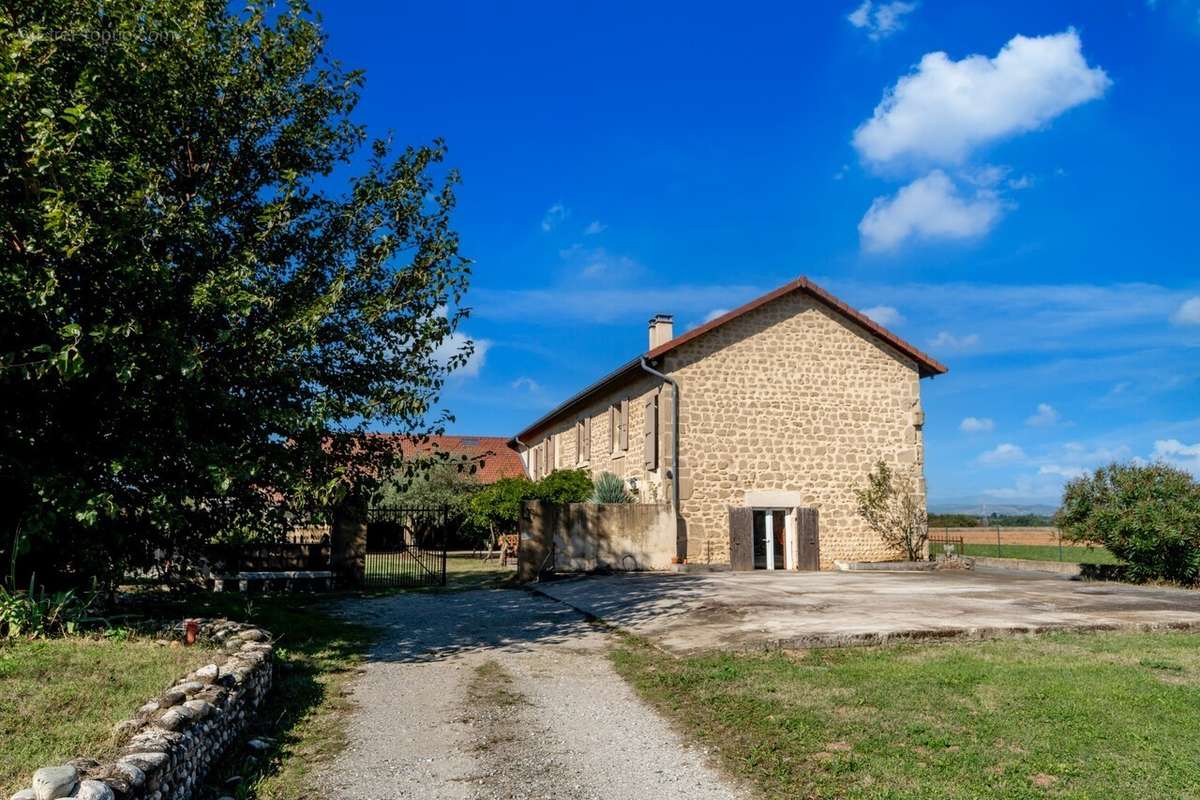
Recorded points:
775,539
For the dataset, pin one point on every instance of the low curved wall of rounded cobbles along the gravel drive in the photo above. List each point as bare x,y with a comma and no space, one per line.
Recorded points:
176,738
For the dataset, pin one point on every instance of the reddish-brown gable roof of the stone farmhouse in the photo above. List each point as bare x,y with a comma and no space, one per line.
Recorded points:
927,365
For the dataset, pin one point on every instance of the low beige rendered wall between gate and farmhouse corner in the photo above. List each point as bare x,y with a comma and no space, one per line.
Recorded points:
584,537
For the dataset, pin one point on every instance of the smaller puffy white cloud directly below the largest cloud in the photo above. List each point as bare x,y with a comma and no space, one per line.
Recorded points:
928,209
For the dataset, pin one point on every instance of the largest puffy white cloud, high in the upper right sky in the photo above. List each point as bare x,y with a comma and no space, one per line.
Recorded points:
945,110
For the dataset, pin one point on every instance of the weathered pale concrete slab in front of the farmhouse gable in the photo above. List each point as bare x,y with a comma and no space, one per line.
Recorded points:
742,611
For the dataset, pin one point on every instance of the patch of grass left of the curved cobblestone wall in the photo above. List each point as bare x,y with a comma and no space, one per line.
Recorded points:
61,699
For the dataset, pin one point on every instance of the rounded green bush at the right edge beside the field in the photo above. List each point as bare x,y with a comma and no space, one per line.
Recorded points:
1148,516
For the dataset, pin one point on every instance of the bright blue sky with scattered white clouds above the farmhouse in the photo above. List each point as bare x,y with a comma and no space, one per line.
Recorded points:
1023,207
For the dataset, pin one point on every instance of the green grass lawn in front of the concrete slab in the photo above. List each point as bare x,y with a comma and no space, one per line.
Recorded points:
1078,717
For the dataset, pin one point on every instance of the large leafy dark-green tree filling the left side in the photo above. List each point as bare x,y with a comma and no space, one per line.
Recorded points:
197,318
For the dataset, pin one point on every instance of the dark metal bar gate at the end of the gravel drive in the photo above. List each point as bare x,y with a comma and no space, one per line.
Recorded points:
407,548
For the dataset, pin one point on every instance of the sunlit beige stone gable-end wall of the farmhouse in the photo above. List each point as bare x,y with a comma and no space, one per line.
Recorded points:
791,405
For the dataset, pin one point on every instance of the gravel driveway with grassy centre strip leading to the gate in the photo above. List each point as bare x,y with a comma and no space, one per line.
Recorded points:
499,695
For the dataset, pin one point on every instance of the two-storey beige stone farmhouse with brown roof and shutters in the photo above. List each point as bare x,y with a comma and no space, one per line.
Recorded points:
757,429
